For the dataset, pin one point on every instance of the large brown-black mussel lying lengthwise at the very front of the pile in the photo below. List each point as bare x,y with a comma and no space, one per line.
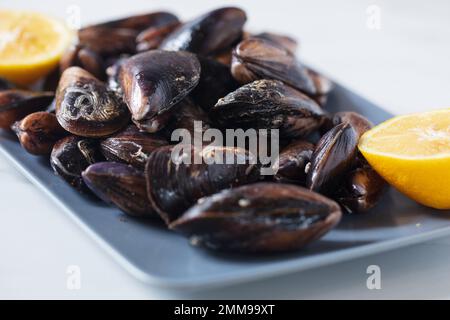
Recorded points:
261,217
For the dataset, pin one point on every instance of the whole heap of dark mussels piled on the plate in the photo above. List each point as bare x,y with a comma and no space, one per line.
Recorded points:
108,111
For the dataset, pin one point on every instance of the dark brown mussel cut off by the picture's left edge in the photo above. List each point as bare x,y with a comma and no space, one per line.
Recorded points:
16,104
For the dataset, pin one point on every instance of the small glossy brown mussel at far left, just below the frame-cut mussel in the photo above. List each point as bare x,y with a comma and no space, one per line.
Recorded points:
38,132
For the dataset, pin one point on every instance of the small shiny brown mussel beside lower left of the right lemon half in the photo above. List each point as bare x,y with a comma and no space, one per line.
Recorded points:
361,191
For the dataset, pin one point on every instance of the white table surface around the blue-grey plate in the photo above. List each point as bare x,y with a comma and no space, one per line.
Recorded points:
404,66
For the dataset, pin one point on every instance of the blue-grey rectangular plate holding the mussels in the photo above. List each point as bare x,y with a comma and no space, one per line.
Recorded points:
160,257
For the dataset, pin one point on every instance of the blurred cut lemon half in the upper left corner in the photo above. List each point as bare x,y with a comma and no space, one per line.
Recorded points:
31,45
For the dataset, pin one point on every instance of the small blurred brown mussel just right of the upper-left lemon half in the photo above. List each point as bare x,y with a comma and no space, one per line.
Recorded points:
82,56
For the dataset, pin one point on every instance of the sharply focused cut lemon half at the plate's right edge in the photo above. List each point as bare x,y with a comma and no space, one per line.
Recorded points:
412,153
